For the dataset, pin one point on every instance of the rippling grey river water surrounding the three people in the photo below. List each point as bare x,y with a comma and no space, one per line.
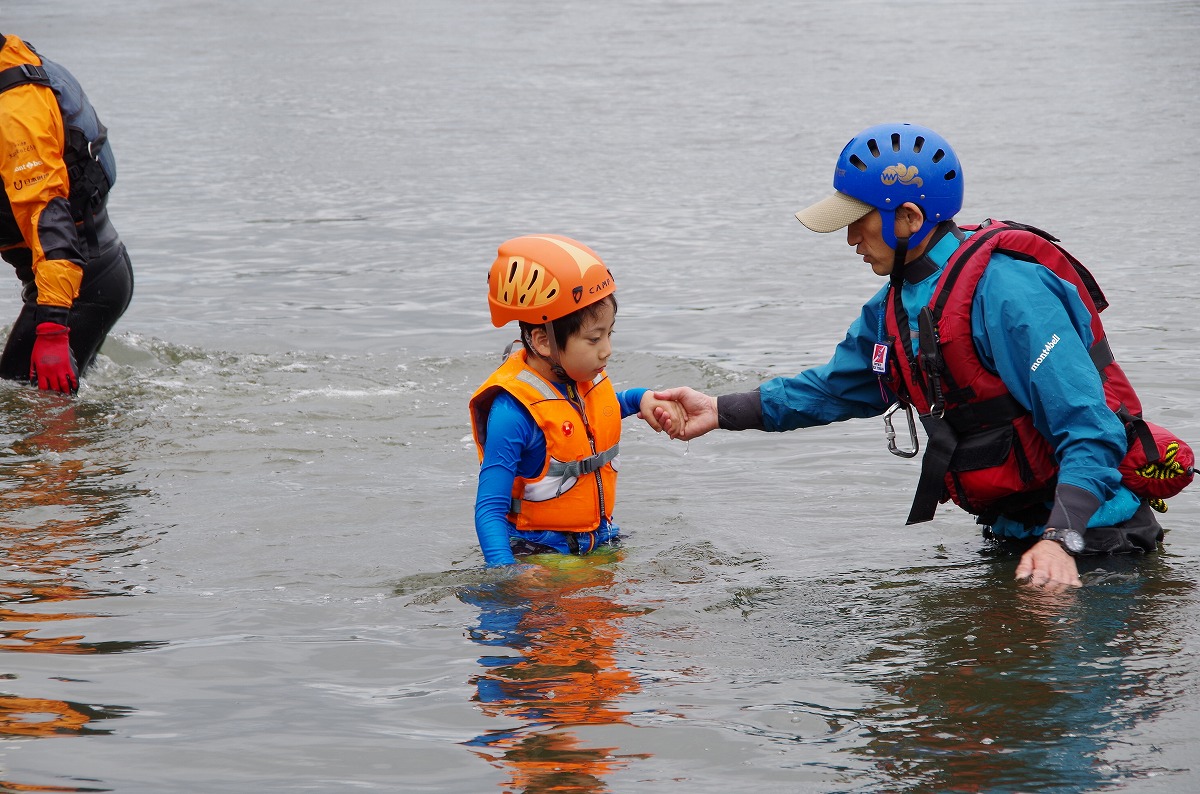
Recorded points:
243,558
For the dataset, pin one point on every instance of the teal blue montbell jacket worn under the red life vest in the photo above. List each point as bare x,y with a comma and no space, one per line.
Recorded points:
1018,308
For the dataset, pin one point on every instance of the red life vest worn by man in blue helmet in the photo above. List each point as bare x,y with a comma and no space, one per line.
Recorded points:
983,450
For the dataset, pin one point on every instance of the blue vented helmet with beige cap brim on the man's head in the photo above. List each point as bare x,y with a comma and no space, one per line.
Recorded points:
884,167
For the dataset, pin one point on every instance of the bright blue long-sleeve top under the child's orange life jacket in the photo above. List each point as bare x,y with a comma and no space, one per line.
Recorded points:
517,448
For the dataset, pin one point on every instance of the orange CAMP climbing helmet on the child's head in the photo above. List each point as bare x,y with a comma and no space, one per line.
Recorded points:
541,278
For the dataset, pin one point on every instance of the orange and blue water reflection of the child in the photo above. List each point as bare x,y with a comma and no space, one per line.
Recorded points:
551,639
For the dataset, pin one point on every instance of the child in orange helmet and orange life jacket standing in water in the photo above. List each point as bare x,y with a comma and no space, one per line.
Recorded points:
548,422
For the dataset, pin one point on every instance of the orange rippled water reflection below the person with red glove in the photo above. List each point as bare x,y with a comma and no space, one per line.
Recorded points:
61,524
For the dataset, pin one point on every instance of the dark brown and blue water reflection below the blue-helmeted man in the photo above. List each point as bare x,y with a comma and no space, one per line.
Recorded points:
1000,688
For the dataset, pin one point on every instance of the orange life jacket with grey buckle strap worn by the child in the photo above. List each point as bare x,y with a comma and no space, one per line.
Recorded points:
578,484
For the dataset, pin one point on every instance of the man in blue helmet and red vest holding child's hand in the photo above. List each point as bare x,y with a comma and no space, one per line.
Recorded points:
993,335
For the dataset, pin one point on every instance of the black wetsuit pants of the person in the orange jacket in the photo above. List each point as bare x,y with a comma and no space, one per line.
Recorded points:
105,294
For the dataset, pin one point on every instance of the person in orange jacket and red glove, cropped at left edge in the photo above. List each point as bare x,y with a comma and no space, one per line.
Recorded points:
57,169
